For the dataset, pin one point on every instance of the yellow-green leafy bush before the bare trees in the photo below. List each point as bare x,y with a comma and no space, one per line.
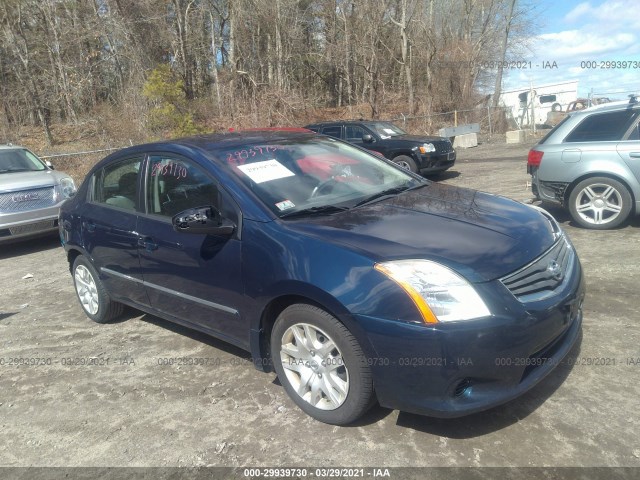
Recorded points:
169,111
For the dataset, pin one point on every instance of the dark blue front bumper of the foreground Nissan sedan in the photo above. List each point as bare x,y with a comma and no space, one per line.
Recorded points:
455,369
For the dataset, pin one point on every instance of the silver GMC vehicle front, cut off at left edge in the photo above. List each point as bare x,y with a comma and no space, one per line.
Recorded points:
31,193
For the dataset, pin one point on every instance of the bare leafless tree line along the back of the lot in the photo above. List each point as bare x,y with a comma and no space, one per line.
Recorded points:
60,59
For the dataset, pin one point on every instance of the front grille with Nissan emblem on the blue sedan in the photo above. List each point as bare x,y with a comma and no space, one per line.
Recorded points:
540,278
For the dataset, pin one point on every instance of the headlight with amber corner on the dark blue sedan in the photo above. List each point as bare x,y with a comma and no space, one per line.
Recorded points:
440,294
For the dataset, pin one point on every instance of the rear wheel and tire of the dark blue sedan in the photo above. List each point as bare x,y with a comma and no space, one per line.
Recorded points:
93,297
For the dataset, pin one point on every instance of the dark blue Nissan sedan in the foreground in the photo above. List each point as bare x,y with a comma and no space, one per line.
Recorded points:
352,278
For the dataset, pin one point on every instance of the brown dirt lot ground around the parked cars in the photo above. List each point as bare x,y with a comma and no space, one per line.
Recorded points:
127,409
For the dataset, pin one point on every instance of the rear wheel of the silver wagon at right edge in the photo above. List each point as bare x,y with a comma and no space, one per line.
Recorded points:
600,203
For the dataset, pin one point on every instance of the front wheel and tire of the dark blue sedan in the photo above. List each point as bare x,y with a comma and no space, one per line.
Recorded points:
321,365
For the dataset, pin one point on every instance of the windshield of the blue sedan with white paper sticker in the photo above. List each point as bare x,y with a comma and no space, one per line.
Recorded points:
315,176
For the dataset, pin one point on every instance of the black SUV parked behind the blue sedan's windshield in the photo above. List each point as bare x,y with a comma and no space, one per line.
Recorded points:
423,154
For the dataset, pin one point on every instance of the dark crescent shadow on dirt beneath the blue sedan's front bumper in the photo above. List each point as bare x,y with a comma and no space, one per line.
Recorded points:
497,418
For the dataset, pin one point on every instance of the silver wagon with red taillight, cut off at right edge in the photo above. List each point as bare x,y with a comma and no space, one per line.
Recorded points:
590,164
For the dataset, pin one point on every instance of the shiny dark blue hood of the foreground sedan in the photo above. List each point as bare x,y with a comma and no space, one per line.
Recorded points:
480,235
